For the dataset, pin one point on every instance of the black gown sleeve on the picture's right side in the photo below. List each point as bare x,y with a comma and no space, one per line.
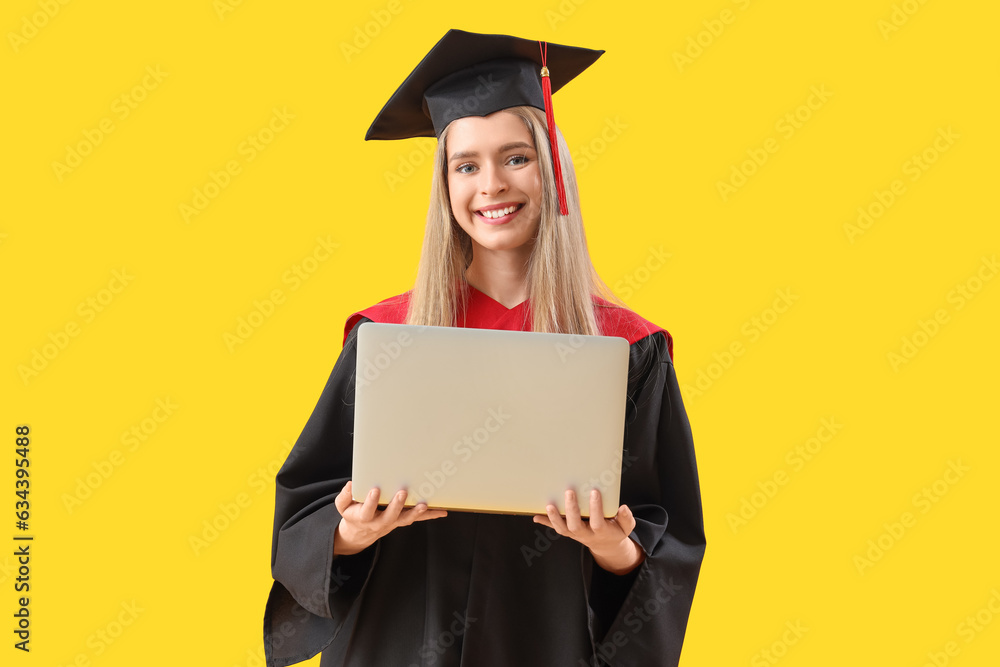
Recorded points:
641,618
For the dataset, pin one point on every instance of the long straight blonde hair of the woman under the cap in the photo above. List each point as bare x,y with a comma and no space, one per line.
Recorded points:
562,281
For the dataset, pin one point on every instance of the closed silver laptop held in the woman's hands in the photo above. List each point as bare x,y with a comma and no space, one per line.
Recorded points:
488,421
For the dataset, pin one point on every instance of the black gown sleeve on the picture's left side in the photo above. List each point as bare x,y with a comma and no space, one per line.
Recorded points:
313,596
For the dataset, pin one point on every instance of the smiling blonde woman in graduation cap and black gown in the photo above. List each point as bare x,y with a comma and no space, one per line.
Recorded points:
504,249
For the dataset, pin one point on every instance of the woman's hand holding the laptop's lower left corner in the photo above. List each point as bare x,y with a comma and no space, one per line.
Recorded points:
362,523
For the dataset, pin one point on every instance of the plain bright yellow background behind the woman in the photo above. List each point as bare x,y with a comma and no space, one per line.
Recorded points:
662,133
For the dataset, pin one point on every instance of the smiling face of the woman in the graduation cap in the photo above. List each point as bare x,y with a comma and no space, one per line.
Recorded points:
494,182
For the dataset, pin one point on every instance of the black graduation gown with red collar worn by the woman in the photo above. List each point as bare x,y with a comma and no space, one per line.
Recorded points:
488,590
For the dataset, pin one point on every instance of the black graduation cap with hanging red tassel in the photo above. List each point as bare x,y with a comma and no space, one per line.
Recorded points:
472,74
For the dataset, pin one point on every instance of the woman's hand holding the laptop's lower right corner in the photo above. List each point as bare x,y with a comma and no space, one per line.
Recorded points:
607,539
